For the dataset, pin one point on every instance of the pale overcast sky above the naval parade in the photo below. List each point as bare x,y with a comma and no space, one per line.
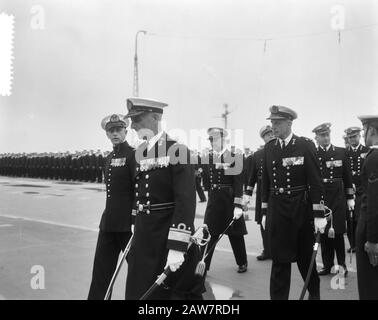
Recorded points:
196,56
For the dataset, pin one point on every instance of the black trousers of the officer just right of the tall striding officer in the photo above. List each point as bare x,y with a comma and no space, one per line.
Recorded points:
329,247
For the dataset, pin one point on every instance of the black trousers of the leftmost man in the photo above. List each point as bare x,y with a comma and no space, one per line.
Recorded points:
109,246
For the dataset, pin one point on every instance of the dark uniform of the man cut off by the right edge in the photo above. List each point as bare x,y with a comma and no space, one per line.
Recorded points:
367,227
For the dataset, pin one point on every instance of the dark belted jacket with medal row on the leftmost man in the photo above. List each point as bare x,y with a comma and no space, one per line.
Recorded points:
119,176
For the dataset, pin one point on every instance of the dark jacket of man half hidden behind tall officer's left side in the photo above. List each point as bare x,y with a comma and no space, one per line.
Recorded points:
255,179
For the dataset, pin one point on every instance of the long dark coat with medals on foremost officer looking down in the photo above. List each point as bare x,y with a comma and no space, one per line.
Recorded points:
164,208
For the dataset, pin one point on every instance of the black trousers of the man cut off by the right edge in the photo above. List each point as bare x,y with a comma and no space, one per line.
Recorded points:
367,275
